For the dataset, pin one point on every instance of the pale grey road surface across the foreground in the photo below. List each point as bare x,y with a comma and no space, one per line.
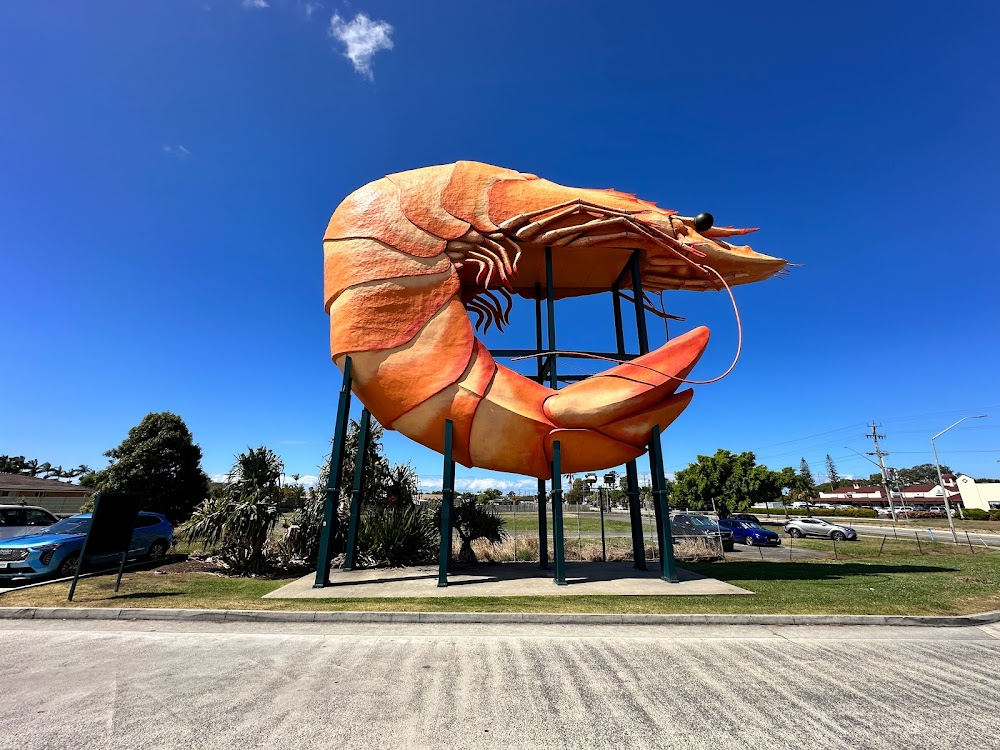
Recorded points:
123,685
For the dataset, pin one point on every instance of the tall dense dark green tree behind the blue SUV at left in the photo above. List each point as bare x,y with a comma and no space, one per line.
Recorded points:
160,461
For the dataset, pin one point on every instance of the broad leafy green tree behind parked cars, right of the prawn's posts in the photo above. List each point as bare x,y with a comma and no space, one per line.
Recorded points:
734,482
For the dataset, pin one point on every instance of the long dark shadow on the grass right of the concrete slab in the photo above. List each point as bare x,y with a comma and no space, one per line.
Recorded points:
811,571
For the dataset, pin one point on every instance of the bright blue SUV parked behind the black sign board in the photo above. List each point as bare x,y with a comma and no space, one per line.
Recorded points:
56,549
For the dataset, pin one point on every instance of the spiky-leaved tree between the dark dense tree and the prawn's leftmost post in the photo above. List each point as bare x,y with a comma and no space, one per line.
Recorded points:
238,522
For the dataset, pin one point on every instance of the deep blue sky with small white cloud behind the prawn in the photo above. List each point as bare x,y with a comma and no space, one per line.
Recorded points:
167,170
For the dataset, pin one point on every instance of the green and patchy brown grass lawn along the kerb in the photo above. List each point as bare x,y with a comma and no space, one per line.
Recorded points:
943,584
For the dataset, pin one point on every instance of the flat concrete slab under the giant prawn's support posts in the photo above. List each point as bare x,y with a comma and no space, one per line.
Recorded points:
505,579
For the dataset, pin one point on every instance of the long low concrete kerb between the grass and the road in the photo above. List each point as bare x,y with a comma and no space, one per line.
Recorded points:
537,618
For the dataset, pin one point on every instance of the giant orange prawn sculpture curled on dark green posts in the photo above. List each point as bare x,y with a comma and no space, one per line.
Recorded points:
407,257
